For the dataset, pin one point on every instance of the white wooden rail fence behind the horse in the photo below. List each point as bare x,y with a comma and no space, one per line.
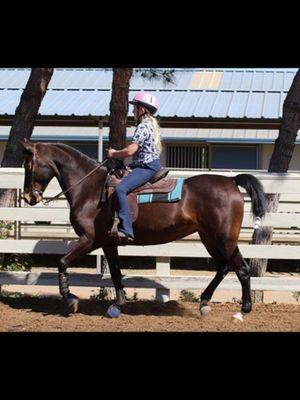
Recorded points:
286,223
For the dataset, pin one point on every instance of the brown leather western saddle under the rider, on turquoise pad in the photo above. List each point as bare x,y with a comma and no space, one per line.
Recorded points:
158,184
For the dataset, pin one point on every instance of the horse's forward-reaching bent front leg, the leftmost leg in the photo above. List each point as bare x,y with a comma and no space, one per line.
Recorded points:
82,247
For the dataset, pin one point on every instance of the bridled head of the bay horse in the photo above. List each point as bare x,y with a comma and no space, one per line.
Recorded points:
38,172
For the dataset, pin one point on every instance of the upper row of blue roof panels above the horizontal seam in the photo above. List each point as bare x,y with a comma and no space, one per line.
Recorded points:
186,79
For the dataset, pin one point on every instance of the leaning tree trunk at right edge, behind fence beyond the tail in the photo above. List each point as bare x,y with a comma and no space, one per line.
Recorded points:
279,162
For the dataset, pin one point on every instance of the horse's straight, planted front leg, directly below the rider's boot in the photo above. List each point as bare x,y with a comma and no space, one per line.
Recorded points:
112,256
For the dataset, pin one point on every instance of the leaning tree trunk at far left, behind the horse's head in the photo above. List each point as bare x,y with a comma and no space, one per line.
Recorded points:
22,127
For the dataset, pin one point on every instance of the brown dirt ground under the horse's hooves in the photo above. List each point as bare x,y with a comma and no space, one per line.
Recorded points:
34,314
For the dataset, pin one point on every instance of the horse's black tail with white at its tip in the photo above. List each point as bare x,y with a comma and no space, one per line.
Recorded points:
256,192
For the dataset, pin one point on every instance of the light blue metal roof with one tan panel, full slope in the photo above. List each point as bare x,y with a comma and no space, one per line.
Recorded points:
199,93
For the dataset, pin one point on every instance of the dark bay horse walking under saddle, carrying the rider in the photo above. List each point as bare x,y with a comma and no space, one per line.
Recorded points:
211,205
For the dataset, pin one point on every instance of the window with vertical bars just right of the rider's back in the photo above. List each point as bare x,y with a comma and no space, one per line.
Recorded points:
187,156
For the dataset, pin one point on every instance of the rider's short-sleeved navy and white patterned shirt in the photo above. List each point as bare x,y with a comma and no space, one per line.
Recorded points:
144,138
